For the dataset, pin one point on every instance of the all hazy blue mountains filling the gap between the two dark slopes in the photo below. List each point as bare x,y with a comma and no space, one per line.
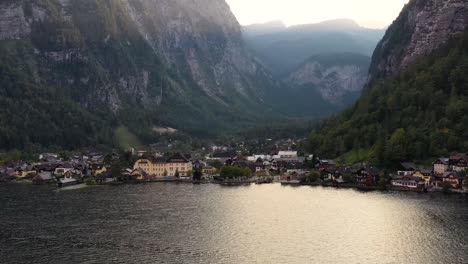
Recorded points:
326,62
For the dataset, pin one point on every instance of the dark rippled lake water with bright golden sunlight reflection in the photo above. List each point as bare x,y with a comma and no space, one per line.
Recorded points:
183,223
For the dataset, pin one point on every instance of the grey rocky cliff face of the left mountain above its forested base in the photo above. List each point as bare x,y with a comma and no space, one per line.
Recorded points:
143,62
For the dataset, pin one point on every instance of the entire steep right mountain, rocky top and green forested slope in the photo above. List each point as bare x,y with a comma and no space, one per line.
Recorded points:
415,106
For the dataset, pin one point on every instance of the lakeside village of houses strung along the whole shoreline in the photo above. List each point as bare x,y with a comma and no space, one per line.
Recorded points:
228,167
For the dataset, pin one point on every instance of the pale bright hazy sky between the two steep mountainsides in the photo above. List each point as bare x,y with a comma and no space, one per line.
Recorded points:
368,13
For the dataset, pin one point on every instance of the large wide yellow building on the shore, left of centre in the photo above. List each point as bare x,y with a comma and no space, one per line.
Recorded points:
165,167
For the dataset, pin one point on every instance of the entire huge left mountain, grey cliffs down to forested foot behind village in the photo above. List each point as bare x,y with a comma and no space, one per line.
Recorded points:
73,71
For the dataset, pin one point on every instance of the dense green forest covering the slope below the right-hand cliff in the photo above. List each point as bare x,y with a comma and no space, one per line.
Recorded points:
419,115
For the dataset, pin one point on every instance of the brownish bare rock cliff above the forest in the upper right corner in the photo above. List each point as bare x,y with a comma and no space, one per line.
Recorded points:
422,27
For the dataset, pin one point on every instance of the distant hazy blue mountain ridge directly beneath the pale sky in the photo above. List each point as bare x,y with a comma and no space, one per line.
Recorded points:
284,50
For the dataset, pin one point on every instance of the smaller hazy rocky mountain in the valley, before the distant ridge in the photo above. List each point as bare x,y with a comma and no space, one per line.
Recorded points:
338,78
